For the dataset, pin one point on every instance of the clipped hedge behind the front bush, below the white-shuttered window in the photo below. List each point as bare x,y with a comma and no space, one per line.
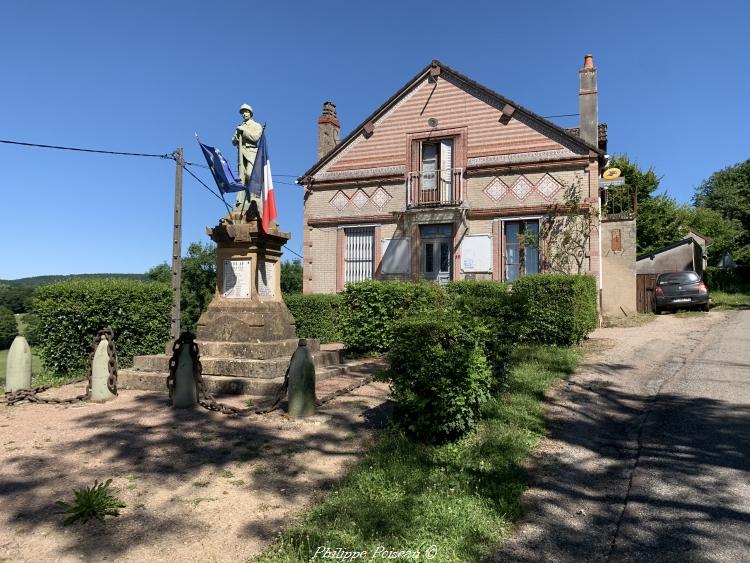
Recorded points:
370,308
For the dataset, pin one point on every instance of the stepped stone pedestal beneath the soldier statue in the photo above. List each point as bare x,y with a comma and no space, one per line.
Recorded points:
246,336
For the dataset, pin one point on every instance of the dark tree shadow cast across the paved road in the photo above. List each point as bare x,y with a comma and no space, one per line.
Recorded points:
689,453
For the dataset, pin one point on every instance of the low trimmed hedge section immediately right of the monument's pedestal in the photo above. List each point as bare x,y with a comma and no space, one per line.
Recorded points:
316,316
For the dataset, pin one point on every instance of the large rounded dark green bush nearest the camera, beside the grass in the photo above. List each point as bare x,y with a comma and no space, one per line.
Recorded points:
440,376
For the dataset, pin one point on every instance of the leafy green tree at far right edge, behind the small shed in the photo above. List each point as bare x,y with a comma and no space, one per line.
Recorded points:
727,191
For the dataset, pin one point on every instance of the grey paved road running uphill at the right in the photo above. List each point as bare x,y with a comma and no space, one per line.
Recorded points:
649,453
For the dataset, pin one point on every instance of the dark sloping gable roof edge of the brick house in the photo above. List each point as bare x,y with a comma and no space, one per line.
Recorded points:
346,141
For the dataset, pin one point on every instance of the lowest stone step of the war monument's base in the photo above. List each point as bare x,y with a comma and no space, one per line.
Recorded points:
227,385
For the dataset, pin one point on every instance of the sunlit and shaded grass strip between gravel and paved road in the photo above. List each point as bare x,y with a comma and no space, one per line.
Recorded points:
461,497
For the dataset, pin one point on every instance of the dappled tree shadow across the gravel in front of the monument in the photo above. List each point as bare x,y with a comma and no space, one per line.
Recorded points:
166,448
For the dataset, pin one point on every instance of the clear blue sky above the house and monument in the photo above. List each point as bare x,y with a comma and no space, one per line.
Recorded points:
143,76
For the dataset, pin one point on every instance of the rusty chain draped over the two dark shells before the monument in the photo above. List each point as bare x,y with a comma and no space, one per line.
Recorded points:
207,400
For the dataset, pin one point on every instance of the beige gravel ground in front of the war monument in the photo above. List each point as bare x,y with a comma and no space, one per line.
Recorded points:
199,486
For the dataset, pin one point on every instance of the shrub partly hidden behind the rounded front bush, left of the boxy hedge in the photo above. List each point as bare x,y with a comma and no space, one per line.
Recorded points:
501,313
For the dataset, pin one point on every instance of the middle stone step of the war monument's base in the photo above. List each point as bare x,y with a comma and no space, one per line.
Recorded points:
238,367
